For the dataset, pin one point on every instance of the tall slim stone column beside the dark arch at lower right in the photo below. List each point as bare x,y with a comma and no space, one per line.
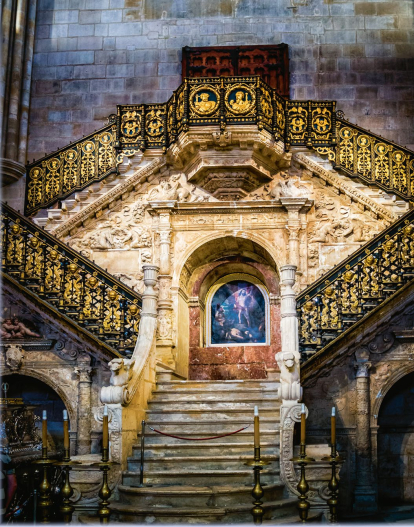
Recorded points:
365,499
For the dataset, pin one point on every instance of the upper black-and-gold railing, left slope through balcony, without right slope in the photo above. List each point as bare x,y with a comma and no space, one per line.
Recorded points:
219,101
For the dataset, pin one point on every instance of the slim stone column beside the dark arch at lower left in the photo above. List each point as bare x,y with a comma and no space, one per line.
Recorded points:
84,370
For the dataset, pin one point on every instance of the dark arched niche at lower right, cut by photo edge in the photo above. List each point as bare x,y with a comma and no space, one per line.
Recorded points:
396,443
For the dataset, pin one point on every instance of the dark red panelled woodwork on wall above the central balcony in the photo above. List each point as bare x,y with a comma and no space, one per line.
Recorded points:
270,62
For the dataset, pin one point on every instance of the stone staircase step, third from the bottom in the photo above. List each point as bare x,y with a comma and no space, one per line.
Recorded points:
201,477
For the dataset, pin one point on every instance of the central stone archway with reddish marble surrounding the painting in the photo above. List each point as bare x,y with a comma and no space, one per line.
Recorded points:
210,263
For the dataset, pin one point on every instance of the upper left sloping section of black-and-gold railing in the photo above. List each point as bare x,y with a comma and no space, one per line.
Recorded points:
59,174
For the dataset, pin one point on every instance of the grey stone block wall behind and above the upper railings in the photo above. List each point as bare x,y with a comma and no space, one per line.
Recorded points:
93,54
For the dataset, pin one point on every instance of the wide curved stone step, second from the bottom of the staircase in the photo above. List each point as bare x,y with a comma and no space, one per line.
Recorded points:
184,496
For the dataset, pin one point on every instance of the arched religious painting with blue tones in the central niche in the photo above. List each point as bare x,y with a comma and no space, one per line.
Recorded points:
238,314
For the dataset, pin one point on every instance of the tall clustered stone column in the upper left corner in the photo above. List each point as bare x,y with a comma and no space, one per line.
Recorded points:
18,27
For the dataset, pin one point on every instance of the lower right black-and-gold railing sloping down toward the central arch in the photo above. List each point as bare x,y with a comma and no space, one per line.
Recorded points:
350,291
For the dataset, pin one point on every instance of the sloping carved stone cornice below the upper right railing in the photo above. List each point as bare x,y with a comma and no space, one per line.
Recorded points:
336,181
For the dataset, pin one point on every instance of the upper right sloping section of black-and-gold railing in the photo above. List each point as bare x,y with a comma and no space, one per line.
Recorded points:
372,158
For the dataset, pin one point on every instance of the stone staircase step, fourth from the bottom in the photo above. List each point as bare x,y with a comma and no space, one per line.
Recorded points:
210,462
